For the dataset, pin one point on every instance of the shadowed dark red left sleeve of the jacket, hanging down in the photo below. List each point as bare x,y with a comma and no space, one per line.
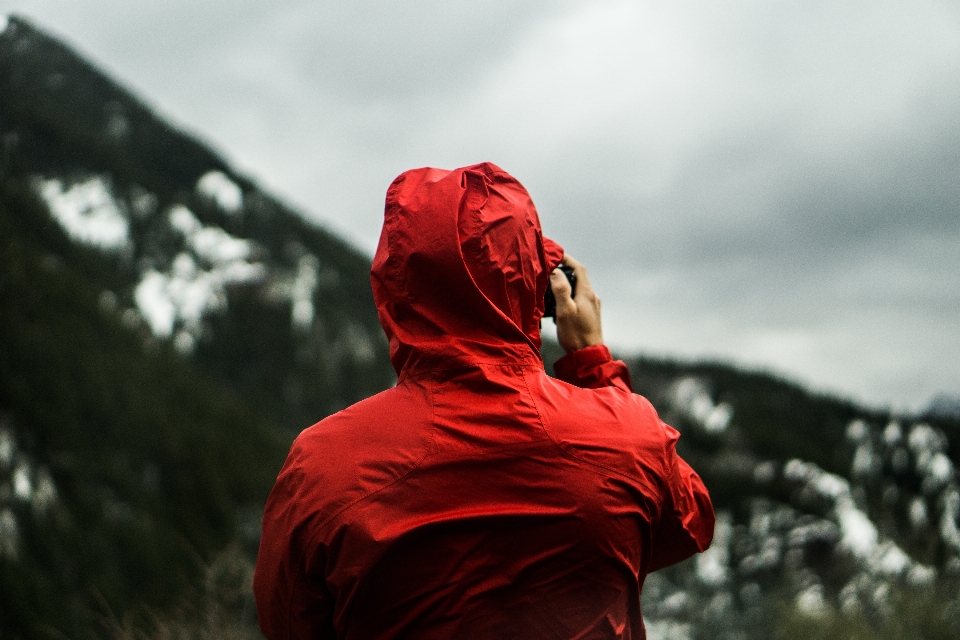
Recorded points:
293,602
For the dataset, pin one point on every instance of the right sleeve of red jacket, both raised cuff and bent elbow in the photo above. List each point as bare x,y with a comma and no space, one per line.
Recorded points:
685,526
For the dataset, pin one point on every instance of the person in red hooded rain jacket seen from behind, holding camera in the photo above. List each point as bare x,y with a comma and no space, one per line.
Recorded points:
479,497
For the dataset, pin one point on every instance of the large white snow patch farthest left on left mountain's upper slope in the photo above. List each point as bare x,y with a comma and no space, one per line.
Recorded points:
87,211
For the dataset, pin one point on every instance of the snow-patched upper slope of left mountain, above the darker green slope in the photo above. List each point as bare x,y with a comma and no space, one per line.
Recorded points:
182,238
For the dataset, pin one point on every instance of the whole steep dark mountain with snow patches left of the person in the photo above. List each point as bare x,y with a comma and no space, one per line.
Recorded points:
166,329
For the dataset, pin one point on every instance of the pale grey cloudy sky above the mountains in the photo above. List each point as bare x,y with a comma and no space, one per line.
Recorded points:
774,183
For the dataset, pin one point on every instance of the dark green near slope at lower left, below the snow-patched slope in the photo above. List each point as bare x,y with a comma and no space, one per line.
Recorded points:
152,463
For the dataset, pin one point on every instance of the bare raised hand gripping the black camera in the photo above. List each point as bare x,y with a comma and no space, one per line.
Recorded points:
578,318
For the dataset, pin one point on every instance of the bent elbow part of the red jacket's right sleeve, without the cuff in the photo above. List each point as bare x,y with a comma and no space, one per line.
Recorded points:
685,526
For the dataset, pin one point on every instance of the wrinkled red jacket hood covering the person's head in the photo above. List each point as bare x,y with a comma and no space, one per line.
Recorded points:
461,269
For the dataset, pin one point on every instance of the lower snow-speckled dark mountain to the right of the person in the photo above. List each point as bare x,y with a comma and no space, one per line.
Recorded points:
834,521
